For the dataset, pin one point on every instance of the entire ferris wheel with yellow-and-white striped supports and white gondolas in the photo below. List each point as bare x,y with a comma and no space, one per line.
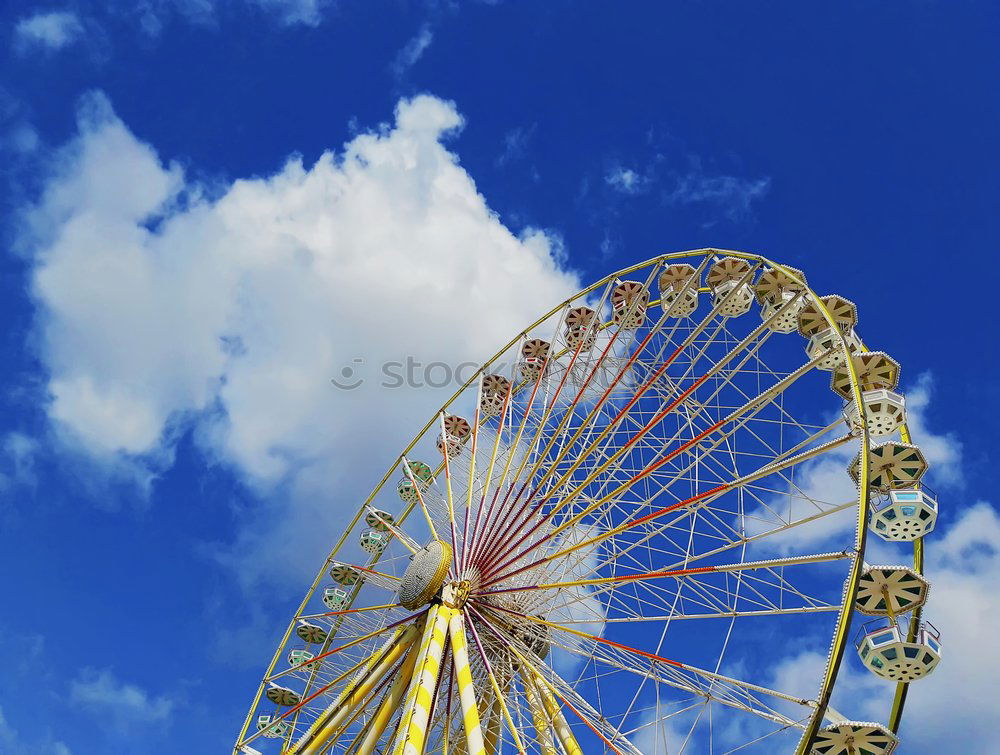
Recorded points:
613,536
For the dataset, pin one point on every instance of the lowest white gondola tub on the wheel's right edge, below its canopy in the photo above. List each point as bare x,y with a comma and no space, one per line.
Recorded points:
887,651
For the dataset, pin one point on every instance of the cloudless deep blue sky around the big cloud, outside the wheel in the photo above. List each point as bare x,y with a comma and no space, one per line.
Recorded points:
871,127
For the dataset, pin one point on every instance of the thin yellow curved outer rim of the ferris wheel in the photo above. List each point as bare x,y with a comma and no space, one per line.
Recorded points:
843,624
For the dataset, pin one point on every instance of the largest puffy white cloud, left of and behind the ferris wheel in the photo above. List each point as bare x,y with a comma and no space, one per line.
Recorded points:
160,309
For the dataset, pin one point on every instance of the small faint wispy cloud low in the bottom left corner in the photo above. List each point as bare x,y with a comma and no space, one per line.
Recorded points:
123,705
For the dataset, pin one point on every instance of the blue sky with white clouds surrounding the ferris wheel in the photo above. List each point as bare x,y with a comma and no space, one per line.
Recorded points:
160,475
